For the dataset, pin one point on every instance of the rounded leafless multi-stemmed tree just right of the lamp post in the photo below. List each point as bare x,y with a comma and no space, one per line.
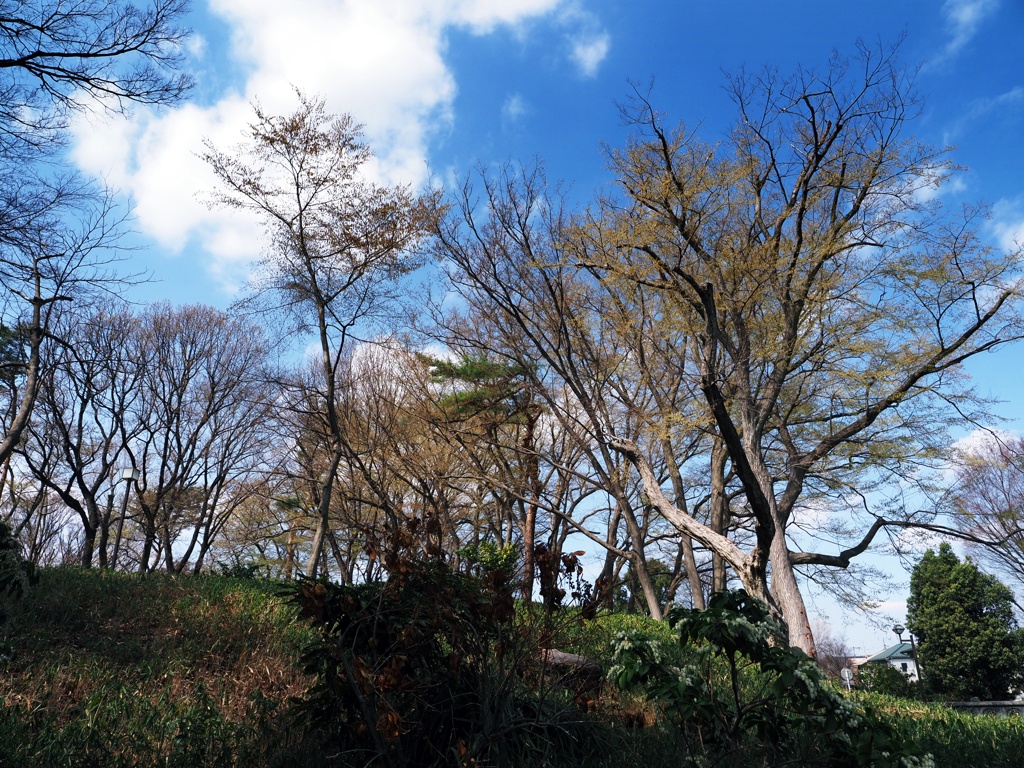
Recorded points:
206,411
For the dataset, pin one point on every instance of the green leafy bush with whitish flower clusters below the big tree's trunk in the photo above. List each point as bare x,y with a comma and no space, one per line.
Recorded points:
746,700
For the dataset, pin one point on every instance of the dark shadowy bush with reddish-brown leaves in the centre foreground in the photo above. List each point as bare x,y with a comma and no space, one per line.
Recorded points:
438,668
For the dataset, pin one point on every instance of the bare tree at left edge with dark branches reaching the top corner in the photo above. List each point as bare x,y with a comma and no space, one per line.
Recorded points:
57,231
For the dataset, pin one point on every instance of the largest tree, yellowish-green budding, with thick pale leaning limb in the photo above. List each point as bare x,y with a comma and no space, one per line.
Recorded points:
831,305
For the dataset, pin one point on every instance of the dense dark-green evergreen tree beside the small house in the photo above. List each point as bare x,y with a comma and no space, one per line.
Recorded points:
969,643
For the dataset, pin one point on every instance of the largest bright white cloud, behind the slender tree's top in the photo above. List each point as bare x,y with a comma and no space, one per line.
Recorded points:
382,62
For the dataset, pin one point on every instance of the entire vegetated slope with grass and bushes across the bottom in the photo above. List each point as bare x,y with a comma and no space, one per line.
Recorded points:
103,669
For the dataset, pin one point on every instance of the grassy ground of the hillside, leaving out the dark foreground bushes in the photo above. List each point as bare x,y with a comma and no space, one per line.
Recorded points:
101,669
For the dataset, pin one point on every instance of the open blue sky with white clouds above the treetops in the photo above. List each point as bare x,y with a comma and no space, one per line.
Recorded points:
442,86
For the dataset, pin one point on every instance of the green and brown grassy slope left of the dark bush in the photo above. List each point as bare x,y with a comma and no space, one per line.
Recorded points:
112,669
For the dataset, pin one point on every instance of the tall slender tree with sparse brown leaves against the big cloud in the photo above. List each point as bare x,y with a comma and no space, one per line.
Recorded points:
336,243
